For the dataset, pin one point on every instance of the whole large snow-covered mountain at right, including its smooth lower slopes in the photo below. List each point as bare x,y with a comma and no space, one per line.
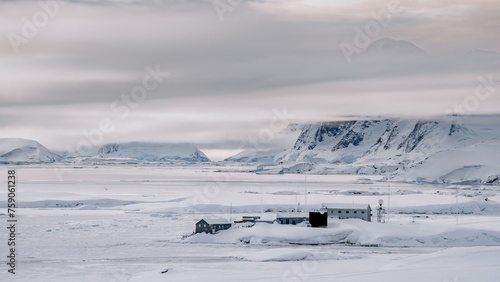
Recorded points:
451,150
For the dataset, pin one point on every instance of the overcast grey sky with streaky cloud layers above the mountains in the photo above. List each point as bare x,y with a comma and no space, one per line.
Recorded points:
230,71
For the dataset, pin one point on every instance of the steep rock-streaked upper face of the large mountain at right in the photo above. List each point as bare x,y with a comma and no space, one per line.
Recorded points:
350,141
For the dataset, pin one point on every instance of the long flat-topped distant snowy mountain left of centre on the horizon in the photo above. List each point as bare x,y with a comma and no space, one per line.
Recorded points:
150,152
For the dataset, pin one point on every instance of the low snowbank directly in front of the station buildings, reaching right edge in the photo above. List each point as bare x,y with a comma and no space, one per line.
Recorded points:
357,232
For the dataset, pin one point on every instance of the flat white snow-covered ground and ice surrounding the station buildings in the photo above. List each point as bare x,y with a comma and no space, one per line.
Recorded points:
127,224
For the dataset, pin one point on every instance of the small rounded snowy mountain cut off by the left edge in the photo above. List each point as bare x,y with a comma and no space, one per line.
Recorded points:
17,150
